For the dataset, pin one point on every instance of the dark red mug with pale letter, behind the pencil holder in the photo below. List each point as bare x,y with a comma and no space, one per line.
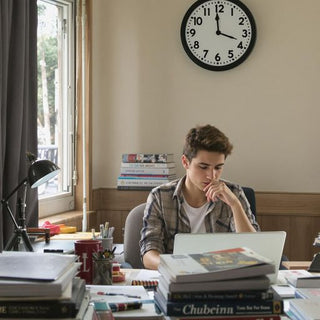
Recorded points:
84,249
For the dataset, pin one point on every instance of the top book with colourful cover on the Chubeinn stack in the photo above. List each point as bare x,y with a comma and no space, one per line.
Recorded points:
217,265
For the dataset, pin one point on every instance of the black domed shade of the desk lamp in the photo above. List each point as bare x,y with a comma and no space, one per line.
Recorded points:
41,171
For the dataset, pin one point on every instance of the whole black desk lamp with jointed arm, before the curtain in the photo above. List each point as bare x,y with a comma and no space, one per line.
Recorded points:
40,171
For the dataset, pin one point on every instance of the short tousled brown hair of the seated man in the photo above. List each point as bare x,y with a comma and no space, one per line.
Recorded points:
207,138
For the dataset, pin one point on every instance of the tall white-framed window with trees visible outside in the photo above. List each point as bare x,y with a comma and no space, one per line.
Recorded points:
56,101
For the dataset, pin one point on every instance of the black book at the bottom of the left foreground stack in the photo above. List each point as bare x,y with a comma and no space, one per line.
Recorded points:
67,308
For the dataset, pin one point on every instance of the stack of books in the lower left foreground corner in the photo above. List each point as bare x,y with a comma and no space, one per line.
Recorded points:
41,285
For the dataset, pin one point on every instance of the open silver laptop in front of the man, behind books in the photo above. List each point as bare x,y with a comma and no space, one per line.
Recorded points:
267,243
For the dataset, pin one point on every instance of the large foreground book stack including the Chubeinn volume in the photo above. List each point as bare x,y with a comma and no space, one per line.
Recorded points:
227,284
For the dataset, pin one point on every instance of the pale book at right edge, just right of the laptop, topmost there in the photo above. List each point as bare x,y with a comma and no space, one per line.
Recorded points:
302,279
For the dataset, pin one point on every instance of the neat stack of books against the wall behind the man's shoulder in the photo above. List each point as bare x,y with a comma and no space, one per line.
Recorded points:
140,171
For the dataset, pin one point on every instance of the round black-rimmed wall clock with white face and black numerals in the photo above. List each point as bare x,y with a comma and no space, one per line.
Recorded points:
218,34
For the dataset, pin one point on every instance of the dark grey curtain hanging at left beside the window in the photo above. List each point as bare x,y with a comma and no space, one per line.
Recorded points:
18,98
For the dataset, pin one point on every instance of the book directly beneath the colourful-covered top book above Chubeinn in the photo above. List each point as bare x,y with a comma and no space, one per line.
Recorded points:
253,283
